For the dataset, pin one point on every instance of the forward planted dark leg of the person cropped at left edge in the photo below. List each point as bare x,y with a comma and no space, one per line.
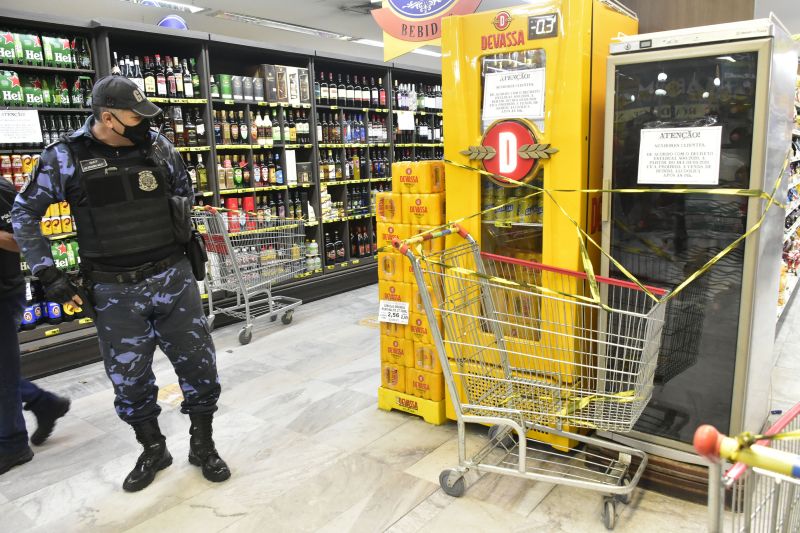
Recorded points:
14,449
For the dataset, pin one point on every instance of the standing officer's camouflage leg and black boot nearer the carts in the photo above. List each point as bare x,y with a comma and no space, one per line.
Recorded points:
183,334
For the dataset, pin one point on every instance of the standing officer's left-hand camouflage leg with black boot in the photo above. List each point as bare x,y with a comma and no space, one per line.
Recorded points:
127,342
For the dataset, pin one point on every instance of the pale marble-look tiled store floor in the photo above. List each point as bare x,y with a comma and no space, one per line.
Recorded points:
309,451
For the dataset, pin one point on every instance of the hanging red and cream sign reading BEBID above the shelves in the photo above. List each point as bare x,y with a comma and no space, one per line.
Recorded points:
411,24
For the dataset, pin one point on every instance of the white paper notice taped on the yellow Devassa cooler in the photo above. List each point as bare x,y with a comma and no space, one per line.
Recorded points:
513,94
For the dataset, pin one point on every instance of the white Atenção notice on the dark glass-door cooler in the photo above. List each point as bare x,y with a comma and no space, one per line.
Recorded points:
680,156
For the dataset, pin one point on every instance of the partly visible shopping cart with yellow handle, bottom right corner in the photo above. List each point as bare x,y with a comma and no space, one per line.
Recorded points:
761,490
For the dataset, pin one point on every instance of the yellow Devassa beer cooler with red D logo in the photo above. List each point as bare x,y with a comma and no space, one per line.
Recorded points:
528,79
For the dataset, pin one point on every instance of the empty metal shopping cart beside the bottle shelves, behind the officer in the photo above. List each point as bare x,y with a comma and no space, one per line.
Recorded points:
247,255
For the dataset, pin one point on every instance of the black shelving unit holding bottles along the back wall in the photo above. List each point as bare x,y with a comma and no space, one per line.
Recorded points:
215,54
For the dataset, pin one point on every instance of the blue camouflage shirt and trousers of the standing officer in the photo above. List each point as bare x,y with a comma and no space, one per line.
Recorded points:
132,318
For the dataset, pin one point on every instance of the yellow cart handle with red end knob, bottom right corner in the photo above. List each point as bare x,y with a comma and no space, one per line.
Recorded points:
713,445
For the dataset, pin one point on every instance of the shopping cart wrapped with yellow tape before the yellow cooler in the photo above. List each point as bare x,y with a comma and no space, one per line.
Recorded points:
533,351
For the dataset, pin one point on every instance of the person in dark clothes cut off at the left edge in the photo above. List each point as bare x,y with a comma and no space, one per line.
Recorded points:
47,407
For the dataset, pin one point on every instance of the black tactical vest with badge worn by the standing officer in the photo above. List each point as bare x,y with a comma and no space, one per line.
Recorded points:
124,208
